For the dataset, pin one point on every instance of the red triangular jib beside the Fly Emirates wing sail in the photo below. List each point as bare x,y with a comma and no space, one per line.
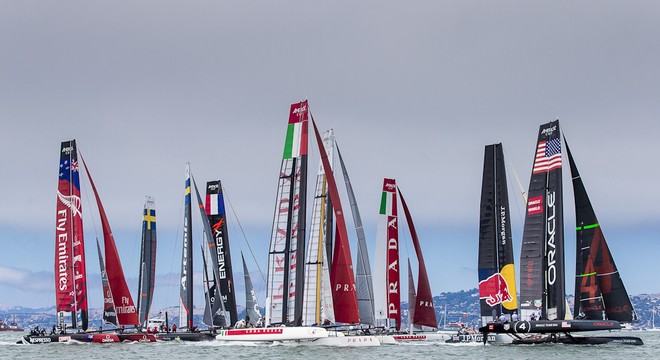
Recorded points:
126,311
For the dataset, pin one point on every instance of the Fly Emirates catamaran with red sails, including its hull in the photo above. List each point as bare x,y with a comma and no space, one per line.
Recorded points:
70,272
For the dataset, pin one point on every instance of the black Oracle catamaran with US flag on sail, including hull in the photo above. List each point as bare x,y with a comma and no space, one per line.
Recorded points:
542,296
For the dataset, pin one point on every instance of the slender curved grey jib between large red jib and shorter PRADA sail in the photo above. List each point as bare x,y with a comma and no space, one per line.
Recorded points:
365,289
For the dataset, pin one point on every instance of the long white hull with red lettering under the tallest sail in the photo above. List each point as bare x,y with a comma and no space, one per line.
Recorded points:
273,334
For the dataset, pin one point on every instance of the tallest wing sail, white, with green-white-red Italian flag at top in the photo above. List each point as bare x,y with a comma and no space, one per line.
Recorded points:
286,259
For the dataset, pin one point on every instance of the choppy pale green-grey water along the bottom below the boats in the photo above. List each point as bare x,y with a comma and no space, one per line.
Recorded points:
211,350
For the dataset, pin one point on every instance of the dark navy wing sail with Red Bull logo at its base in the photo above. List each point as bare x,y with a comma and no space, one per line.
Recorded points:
497,281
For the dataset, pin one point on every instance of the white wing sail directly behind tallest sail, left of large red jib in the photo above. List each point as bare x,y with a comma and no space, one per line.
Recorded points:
318,305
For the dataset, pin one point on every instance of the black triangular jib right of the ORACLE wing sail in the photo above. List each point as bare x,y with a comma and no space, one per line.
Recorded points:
599,289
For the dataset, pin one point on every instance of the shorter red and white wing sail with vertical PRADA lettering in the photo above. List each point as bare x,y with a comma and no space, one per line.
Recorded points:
387,298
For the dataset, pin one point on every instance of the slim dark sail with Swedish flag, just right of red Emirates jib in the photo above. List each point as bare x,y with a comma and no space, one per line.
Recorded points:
147,261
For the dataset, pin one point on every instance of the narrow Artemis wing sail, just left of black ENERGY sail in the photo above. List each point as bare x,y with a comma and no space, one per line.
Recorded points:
186,289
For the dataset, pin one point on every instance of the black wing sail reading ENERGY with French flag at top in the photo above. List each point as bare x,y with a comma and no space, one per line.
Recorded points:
215,212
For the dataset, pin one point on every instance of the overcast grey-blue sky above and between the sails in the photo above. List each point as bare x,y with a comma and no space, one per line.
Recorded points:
413,90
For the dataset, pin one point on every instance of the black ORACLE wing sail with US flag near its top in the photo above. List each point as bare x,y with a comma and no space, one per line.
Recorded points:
542,253
